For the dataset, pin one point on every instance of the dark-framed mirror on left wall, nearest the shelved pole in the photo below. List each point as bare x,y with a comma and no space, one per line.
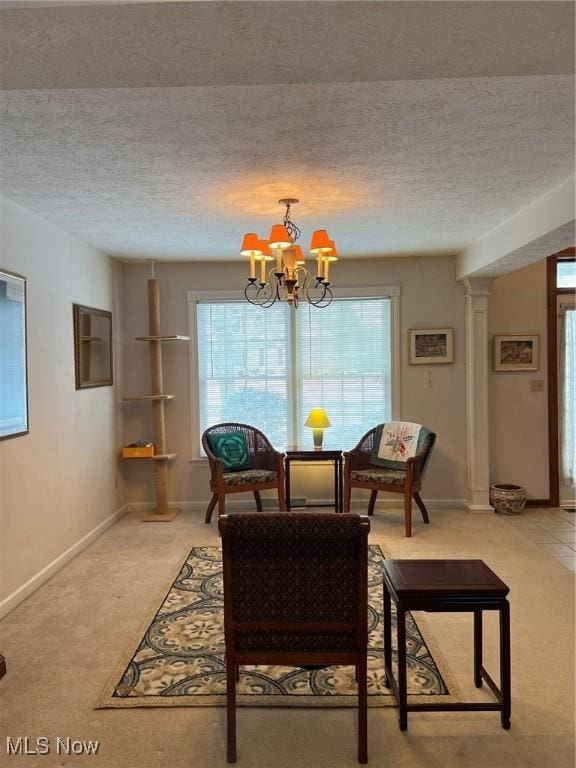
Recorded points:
93,347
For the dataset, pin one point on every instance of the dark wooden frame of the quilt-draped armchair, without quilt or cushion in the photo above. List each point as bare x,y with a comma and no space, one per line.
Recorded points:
359,458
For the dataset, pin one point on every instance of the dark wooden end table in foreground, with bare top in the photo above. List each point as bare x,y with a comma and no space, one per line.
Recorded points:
447,585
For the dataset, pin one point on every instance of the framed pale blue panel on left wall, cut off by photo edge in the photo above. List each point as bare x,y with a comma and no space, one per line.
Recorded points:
13,363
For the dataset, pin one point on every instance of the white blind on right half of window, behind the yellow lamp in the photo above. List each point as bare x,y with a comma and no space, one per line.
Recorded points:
344,364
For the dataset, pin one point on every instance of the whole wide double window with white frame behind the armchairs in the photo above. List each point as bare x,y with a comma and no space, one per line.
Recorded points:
269,367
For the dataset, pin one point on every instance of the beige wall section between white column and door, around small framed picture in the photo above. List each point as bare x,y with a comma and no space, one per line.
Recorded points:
518,416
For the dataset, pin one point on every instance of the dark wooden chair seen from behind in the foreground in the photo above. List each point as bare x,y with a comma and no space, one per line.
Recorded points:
295,594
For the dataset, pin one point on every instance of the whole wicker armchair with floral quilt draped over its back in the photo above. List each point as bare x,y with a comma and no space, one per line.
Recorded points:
391,457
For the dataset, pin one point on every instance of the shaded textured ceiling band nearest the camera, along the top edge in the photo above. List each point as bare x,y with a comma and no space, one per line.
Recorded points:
255,43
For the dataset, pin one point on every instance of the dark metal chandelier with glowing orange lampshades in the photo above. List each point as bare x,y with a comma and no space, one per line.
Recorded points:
289,280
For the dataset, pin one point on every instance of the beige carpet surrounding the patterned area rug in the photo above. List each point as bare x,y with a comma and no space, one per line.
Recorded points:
62,643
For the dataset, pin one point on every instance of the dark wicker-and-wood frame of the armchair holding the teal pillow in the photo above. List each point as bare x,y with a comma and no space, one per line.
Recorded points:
263,455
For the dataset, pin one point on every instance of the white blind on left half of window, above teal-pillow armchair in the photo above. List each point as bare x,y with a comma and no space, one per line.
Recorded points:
243,366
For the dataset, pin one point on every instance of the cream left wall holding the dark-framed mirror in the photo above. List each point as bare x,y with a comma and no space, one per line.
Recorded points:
58,483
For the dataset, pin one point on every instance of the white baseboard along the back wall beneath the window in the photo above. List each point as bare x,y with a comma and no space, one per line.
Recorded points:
272,503
